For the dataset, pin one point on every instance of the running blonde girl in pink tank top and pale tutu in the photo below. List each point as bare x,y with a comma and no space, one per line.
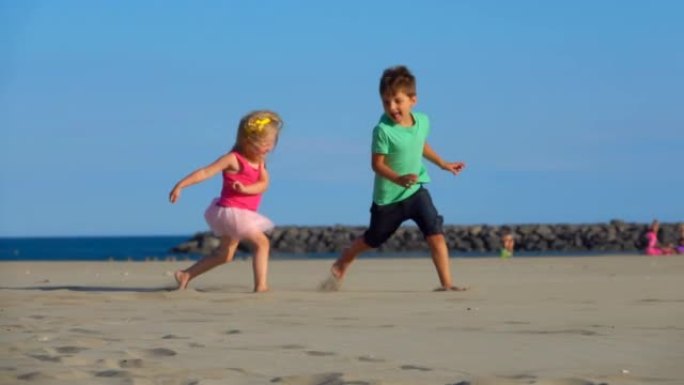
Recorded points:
233,216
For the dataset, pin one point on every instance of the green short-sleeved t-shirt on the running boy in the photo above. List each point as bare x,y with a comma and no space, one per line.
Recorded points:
403,150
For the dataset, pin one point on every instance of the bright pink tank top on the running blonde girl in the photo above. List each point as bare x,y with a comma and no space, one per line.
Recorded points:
247,175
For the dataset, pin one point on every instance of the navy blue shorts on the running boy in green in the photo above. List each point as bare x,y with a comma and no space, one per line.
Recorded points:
386,219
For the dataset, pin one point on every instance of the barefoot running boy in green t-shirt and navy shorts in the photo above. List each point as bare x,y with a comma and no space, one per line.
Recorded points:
399,144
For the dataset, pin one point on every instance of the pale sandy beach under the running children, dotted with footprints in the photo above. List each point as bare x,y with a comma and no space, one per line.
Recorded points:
563,321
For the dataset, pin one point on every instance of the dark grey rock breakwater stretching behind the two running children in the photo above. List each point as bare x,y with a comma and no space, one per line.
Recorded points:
614,236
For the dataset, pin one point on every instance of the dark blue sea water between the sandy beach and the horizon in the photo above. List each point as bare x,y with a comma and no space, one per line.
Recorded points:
158,248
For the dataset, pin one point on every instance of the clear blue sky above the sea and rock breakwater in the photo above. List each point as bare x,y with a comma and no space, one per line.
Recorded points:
564,111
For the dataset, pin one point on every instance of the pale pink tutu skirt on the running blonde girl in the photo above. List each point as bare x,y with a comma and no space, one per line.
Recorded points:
234,222
